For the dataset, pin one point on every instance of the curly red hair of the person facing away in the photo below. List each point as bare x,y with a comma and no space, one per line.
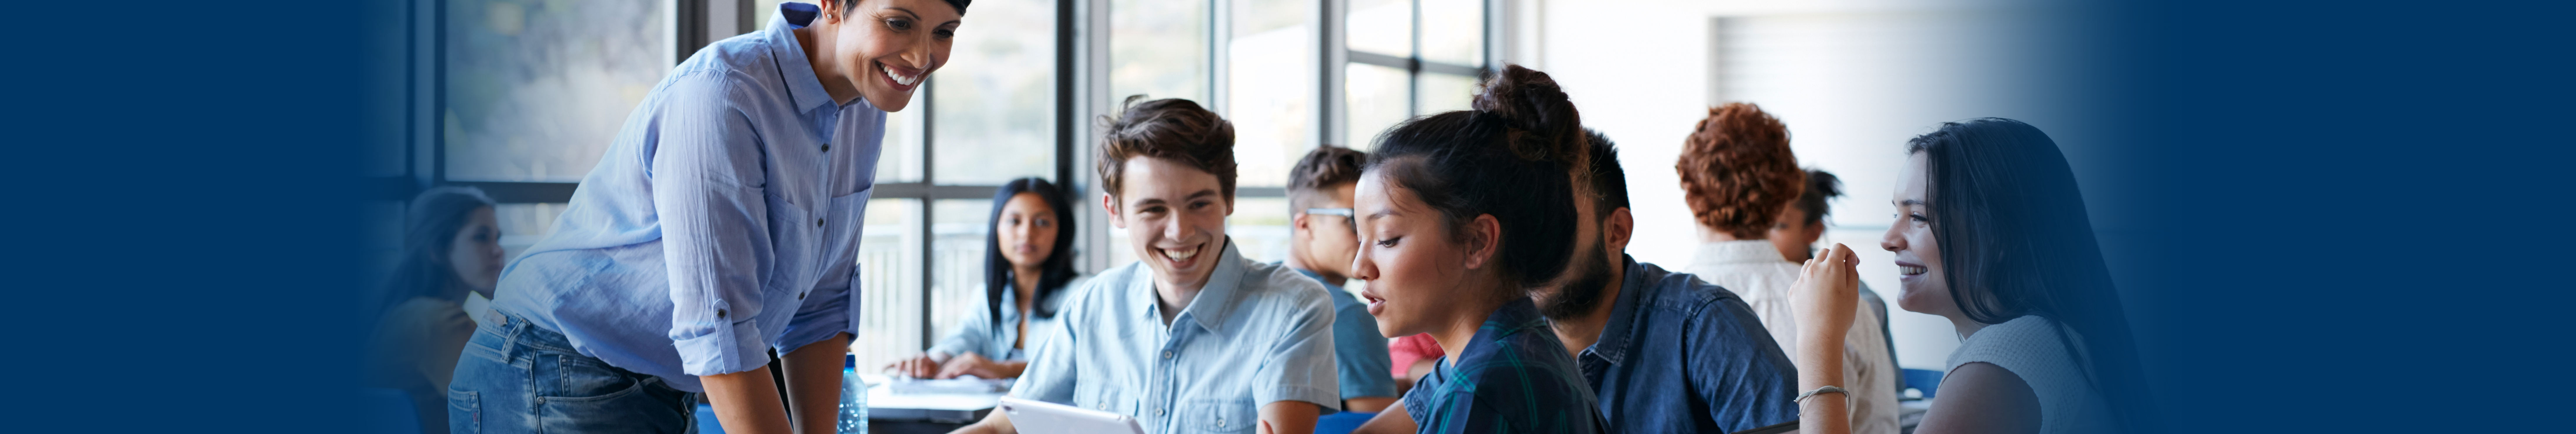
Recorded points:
1738,171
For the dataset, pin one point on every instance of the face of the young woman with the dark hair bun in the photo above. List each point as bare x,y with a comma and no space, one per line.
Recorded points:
1410,258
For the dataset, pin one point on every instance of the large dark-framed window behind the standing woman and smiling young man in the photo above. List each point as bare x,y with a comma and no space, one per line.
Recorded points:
524,96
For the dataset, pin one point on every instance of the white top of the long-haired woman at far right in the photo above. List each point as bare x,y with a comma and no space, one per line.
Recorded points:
2031,348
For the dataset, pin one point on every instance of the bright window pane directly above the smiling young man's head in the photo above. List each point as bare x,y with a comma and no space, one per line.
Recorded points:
1158,50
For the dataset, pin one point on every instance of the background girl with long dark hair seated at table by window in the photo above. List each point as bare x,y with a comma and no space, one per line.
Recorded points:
1027,273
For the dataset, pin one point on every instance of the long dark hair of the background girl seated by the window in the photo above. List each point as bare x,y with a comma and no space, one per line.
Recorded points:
1060,263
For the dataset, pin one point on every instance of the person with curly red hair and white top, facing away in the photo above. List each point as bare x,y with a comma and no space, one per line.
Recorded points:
1738,176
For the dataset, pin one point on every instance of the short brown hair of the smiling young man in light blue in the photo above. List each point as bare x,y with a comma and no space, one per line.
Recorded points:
1168,130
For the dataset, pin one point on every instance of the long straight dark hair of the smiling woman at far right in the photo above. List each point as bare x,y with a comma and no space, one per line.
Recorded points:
2016,243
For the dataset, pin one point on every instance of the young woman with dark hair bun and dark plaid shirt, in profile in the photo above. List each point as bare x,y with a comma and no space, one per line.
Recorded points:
1459,212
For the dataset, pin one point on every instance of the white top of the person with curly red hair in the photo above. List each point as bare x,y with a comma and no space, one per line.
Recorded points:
1761,276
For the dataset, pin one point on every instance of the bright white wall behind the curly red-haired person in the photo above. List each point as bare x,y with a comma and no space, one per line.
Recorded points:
1853,81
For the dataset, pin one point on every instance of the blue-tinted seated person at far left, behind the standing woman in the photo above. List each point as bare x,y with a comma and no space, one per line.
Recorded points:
450,248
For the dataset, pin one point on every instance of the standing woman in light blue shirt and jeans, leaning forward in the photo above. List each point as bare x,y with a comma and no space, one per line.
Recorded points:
720,225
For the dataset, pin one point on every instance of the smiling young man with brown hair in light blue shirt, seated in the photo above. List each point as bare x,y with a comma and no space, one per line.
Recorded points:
1191,338
